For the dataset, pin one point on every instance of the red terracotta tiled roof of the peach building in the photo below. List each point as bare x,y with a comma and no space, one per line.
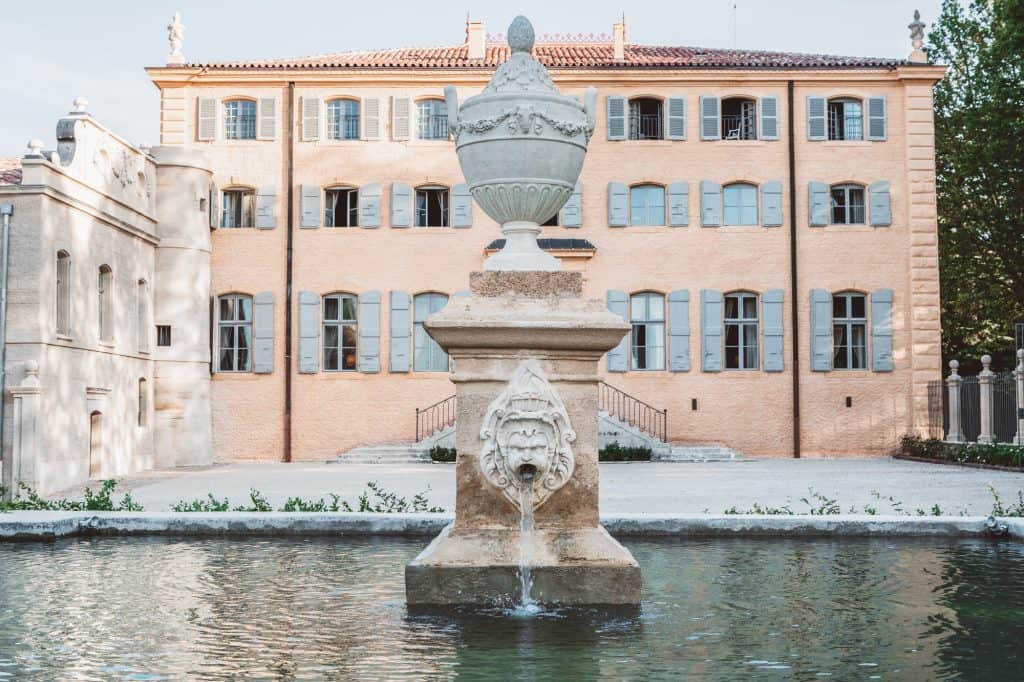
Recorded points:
567,56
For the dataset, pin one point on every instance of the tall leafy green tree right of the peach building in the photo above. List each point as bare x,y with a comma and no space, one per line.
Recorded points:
979,141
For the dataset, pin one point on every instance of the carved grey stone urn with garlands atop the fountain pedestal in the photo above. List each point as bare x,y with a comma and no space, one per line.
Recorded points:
522,147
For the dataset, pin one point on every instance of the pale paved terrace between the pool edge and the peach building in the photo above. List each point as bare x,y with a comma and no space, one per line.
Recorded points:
626,488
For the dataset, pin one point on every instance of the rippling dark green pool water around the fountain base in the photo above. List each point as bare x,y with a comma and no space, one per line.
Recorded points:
315,609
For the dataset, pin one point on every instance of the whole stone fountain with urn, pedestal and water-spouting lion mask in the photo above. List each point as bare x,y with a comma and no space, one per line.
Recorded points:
526,346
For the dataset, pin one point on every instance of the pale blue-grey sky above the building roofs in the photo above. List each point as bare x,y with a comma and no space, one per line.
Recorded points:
57,51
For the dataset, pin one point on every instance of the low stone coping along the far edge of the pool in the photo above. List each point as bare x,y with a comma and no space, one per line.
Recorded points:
51,526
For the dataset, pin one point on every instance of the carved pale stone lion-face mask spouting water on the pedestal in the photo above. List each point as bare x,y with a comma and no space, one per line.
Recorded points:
527,428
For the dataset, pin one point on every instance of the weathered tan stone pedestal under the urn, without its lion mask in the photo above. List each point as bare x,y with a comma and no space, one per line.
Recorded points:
539,321
